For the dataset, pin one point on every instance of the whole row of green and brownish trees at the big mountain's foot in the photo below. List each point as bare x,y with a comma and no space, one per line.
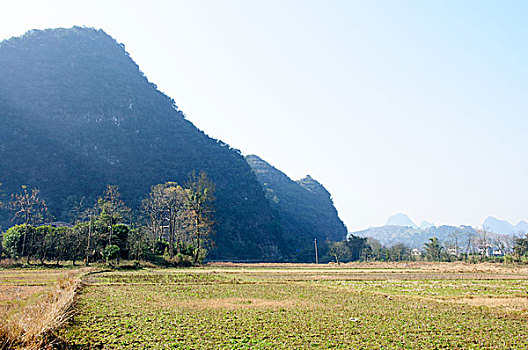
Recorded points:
174,226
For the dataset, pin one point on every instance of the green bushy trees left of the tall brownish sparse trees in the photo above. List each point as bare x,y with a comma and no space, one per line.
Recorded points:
83,239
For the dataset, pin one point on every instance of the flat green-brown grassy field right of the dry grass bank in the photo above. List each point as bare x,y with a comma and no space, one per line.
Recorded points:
356,306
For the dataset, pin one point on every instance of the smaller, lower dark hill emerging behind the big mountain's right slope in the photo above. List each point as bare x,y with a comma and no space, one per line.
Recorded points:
305,208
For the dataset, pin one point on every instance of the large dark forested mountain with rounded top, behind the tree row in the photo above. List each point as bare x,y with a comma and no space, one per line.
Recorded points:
76,113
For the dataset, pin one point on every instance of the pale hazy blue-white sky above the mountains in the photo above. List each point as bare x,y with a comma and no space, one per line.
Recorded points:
418,107
